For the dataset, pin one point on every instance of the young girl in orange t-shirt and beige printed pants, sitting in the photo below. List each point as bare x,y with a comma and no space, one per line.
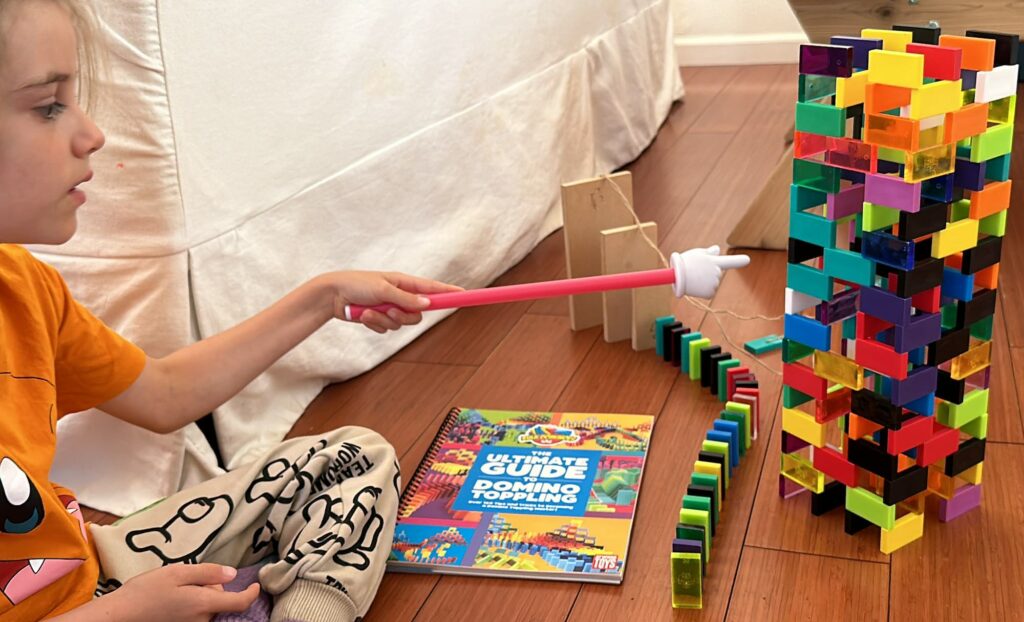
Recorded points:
318,512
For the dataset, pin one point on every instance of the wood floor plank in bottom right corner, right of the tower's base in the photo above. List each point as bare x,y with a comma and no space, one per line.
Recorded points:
969,569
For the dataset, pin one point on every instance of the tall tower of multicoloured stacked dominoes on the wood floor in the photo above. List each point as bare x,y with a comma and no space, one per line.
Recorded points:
899,209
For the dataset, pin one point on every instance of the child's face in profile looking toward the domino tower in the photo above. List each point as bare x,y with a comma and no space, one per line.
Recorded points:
46,138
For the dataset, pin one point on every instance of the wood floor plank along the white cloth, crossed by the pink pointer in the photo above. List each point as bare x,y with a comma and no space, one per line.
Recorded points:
468,338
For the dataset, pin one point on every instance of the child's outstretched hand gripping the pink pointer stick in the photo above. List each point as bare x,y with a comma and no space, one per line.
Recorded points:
377,288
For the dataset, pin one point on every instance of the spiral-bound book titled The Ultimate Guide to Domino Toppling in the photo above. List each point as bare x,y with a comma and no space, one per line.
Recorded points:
530,495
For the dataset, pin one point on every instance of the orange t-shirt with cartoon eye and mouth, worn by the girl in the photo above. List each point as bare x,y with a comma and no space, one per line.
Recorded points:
56,358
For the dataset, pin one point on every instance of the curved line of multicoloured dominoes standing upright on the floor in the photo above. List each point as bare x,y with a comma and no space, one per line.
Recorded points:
724,446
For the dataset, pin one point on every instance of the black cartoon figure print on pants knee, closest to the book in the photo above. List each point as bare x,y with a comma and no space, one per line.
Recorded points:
357,532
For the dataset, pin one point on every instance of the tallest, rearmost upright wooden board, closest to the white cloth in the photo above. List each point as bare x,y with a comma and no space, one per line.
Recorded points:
589,208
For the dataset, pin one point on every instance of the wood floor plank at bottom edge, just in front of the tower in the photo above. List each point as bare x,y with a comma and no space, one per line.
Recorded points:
780,586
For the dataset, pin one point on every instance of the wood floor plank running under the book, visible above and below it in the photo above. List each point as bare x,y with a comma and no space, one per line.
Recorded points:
528,371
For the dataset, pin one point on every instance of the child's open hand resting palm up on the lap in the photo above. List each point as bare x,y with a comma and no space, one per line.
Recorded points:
183,593
